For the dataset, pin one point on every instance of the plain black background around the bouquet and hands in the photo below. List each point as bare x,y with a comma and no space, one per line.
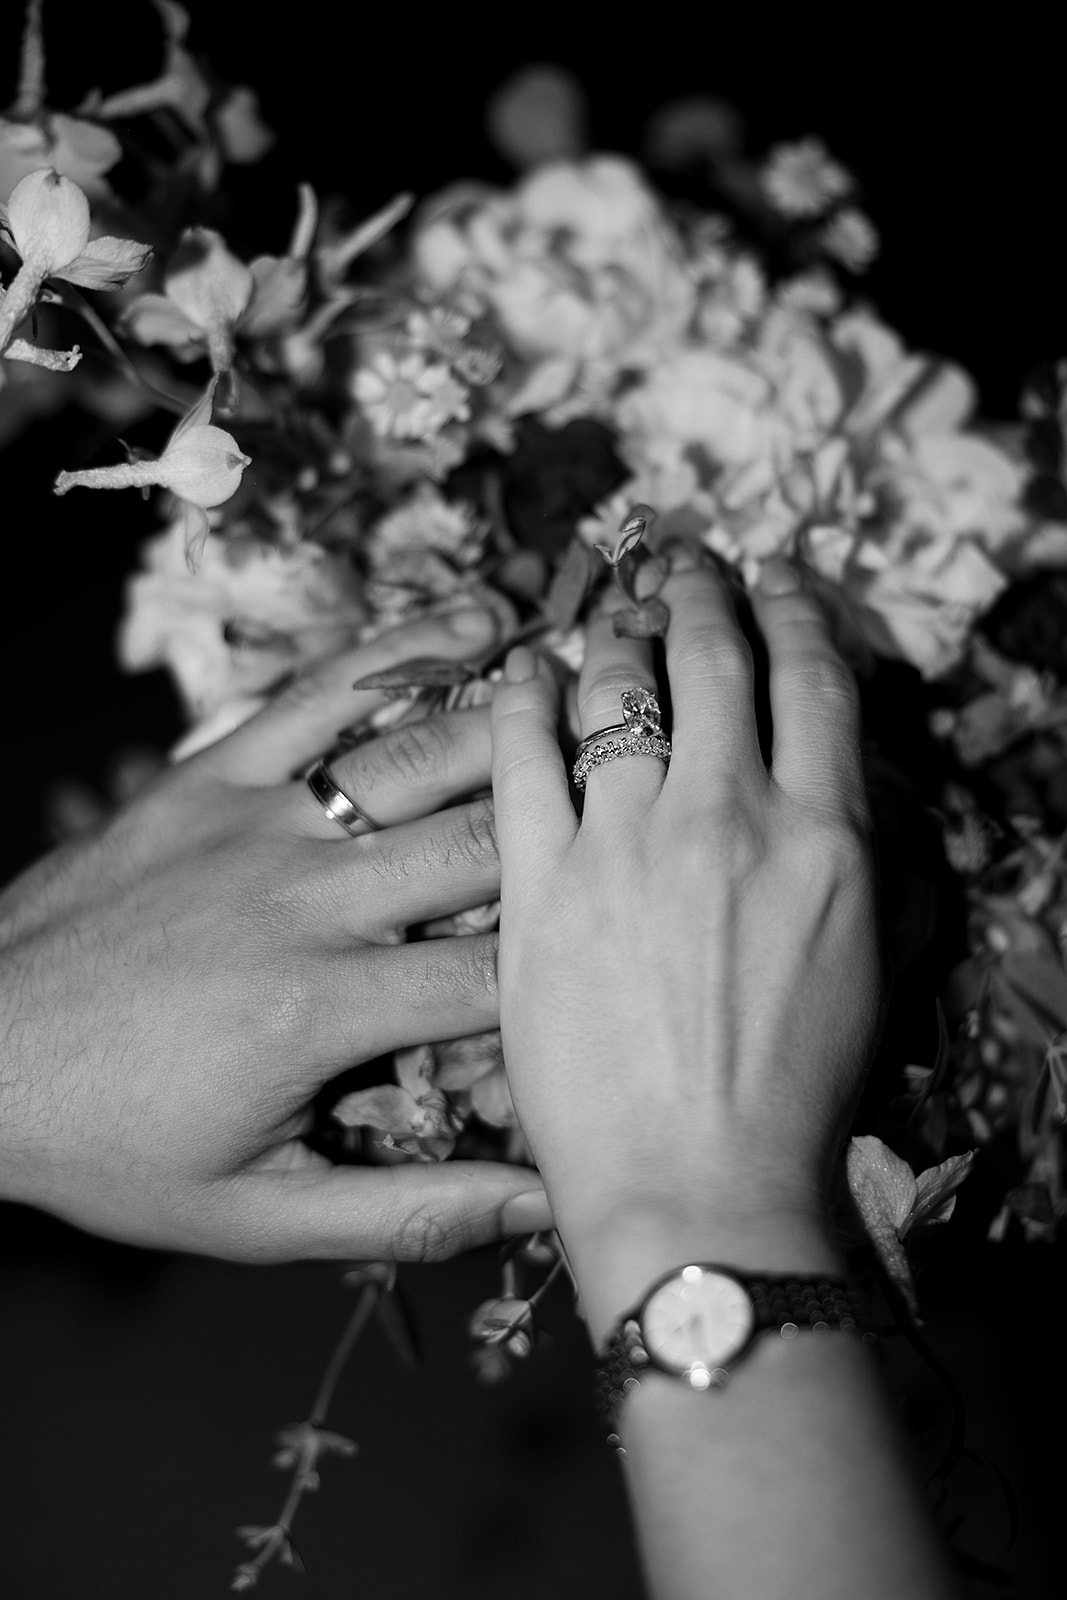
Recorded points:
140,1393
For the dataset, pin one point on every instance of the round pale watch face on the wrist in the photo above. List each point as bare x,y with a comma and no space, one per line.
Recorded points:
697,1321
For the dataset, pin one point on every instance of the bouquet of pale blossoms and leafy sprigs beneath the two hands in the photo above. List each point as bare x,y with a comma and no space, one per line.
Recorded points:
513,398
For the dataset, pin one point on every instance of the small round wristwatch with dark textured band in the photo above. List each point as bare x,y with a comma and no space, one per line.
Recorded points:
700,1321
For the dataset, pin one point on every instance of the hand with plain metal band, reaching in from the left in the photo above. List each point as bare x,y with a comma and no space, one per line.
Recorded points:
177,990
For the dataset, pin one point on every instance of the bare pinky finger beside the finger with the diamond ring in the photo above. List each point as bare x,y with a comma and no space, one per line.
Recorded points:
530,786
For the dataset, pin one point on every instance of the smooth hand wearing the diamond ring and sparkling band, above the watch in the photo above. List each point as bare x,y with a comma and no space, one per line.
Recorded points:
690,978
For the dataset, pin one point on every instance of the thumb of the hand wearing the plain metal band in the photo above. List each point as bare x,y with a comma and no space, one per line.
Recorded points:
417,1212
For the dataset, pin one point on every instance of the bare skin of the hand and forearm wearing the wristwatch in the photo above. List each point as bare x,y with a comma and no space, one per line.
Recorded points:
690,993
